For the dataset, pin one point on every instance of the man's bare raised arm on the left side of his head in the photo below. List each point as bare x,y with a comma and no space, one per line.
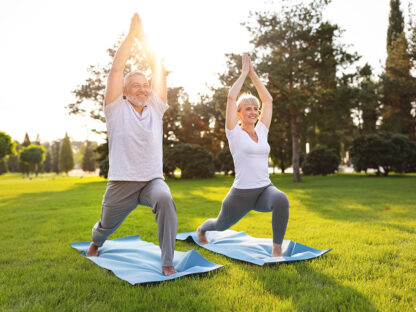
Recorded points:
115,81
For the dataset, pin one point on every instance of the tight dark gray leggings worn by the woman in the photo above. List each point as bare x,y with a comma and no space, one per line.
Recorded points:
239,202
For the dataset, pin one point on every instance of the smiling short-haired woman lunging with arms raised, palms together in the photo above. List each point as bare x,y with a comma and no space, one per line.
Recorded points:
252,188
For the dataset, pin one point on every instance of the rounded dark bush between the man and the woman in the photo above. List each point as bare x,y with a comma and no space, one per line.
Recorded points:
194,161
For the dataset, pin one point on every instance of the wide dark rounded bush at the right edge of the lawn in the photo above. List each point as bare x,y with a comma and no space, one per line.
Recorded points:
390,151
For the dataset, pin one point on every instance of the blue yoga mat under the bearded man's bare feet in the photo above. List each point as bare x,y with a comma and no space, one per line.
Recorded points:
137,261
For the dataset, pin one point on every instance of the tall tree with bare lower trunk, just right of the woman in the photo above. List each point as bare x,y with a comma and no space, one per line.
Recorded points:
298,52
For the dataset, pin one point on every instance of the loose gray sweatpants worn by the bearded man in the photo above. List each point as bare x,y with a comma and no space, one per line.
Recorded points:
122,197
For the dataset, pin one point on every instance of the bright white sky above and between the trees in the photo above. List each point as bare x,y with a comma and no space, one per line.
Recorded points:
47,46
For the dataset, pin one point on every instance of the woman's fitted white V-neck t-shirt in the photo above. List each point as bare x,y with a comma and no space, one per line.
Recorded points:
251,159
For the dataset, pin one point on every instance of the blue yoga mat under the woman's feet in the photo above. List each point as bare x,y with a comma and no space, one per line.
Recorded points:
240,246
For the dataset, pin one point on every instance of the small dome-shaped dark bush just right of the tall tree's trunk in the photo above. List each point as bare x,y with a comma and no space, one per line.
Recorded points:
320,160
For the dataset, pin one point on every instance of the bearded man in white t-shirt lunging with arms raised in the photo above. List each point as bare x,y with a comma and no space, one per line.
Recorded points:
134,114
